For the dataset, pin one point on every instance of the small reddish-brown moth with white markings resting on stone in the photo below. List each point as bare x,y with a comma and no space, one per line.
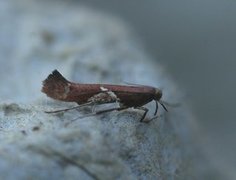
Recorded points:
128,96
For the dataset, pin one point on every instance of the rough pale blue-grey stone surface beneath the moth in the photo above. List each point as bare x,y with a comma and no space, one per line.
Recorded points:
85,46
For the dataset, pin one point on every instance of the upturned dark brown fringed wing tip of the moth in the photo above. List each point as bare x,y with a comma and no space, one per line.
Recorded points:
54,85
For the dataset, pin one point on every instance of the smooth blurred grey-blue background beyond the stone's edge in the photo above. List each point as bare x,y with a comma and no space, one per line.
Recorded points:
196,43
